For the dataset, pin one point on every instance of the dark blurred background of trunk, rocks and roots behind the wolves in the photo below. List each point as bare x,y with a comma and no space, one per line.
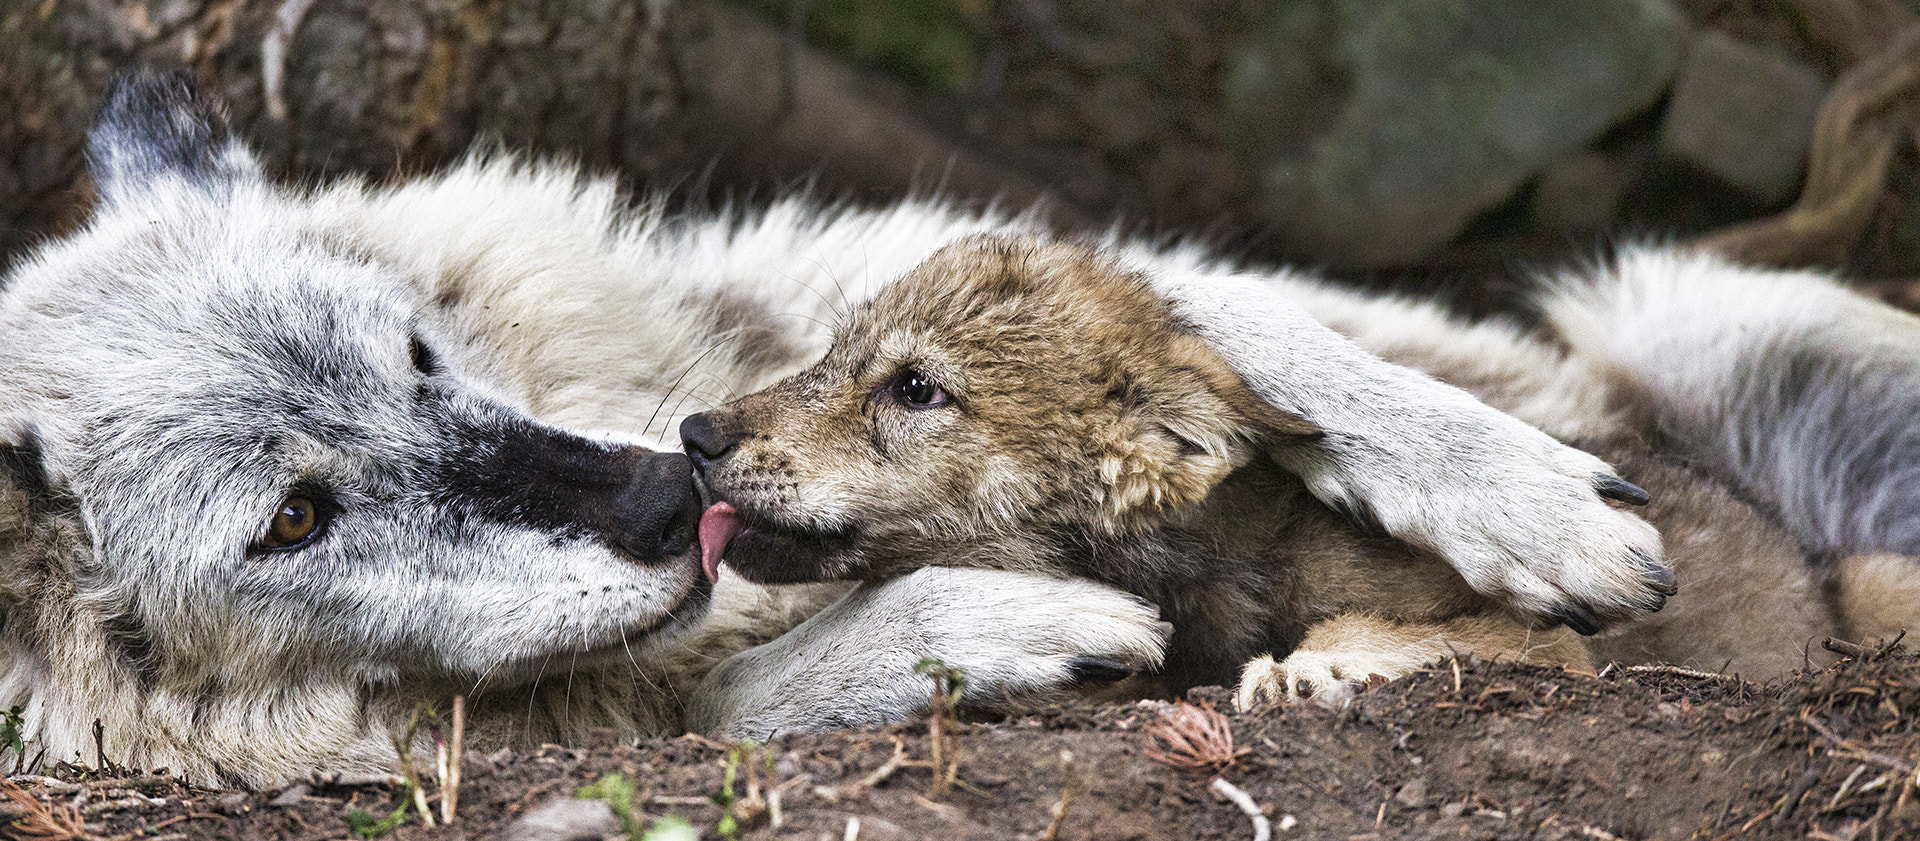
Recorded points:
1447,147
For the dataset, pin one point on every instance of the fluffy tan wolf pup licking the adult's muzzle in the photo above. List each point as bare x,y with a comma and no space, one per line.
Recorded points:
1034,406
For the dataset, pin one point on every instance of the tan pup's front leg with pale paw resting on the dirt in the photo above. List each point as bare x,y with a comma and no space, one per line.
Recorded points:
1341,654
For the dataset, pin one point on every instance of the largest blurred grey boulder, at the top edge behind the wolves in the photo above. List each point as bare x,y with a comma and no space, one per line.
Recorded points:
1381,128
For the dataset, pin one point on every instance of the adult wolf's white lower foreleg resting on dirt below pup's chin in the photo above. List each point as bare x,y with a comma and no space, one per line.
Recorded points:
1017,638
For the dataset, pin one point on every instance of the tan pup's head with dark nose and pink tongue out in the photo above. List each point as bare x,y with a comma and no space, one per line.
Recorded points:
999,406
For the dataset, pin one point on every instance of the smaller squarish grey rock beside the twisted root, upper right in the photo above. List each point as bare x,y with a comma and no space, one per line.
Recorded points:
1744,116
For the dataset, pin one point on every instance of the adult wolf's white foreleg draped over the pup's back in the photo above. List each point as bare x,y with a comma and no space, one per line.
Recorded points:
1518,514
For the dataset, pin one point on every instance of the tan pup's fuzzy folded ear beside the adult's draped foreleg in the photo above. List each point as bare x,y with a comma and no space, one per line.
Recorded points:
1184,431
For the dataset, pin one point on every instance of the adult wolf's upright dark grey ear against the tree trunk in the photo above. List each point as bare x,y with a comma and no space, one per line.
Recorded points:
160,128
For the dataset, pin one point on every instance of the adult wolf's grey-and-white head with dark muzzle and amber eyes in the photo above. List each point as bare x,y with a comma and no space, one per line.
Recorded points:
241,450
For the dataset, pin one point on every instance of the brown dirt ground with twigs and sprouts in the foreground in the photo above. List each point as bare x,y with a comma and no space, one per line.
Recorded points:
1462,752
